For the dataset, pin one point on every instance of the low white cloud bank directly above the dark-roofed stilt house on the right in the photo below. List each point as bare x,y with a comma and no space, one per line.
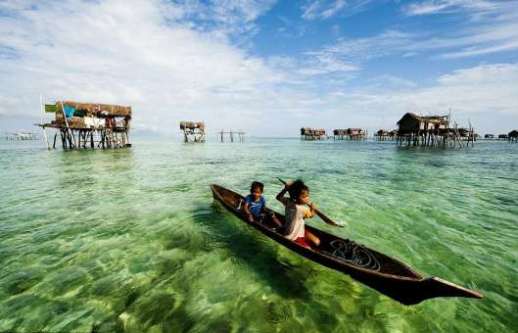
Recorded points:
480,94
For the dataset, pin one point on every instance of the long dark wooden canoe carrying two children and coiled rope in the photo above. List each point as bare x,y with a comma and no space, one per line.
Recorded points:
374,269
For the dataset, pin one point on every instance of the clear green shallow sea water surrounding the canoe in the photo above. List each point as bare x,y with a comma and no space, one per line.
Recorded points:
130,240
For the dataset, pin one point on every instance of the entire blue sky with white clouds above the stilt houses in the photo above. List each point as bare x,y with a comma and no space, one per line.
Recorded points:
266,67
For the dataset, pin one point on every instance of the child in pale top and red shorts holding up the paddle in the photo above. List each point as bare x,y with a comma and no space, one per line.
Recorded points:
297,208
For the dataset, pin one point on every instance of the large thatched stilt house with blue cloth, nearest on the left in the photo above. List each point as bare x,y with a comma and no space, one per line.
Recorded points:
87,125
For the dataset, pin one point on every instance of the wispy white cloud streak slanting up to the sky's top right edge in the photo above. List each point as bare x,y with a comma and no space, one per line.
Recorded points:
494,33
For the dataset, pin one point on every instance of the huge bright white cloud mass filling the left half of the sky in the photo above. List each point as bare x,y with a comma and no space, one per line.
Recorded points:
111,52
